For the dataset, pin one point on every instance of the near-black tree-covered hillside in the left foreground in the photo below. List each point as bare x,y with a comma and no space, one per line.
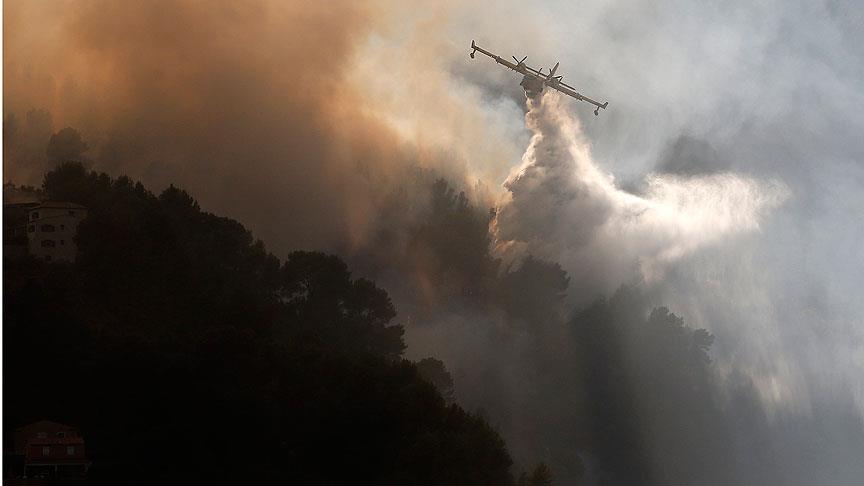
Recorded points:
183,350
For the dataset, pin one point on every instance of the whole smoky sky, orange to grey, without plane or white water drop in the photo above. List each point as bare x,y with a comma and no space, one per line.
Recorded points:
293,118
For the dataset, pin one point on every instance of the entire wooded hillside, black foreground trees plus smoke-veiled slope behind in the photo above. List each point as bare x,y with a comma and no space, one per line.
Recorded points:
185,351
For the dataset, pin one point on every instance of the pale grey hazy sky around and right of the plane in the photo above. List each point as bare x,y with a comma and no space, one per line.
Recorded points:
765,90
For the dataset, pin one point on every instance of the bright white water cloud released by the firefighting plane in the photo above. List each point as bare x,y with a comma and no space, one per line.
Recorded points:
564,208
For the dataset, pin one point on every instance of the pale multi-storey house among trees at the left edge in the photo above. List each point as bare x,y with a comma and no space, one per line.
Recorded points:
51,229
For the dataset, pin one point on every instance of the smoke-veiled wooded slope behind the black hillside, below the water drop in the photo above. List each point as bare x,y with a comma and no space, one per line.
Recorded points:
617,391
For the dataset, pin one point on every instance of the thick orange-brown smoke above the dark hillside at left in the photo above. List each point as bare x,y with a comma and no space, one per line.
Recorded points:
251,106
